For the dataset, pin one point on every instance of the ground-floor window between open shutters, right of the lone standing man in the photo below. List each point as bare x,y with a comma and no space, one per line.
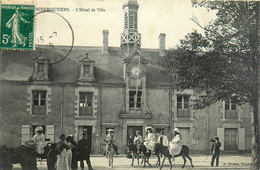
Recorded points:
230,139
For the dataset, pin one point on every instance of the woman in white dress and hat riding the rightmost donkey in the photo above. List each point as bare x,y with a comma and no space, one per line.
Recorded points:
175,144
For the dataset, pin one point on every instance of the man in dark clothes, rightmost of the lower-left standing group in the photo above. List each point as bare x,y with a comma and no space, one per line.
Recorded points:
84,150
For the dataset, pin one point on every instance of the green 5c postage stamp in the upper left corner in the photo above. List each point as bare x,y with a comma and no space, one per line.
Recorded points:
17,27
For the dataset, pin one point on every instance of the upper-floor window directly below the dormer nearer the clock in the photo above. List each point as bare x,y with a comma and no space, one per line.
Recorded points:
85,105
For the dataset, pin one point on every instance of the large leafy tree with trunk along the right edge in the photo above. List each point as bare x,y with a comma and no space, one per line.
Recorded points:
224,62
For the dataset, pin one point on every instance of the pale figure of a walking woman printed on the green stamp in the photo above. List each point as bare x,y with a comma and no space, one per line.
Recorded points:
14,23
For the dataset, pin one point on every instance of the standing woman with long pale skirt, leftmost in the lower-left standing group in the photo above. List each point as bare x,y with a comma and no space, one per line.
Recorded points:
62,163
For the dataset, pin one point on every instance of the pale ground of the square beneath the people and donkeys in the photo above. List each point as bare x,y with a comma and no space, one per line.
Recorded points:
231,162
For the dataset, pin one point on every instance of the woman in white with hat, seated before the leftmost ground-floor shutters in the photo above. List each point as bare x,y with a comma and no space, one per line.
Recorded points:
39,139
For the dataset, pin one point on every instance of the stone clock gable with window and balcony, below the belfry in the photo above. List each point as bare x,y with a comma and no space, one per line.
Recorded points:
135,80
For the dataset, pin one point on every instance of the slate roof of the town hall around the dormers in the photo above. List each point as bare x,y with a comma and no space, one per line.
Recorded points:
18,65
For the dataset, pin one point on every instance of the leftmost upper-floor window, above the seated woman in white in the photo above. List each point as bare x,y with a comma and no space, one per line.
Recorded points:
39,102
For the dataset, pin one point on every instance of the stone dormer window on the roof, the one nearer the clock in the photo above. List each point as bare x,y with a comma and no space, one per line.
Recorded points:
86,70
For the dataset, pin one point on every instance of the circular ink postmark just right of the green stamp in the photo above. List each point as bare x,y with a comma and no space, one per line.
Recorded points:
53,29
